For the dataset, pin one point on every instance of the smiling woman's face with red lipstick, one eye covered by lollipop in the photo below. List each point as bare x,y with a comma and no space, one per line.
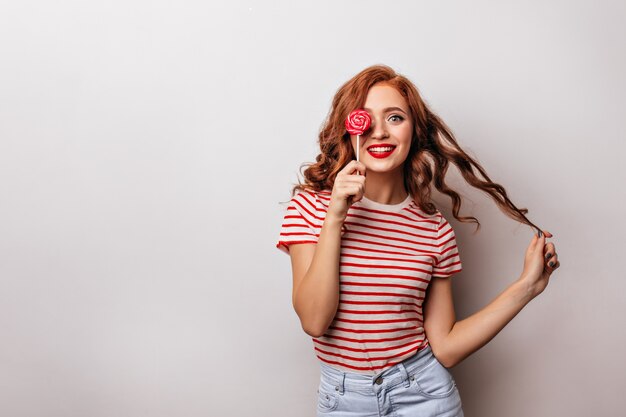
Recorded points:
391,128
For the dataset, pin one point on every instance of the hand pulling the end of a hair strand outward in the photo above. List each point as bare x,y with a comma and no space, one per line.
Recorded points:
539,263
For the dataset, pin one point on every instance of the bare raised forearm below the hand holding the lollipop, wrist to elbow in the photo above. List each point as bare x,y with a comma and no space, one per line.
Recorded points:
317,296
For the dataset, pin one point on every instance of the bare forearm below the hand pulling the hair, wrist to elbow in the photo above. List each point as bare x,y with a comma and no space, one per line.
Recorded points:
472,333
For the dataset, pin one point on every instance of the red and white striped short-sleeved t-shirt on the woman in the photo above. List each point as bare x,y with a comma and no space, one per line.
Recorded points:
388,255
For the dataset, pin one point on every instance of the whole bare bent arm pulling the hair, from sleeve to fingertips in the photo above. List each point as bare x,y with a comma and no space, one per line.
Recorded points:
453,341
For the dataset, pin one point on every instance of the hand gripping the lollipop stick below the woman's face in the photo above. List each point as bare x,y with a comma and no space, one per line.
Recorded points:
347,189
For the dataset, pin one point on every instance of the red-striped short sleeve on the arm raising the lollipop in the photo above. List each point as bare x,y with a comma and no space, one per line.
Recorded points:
302,221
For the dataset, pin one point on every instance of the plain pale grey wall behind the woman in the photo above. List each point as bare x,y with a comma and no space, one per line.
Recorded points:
145,147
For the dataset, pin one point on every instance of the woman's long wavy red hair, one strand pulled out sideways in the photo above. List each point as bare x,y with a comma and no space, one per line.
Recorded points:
433,148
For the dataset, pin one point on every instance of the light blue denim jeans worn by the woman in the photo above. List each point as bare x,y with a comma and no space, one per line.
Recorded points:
419,386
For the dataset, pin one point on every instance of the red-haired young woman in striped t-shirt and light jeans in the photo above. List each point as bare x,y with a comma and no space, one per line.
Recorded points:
372,256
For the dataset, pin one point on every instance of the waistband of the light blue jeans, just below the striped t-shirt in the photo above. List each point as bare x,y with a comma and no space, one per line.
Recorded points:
398,373
